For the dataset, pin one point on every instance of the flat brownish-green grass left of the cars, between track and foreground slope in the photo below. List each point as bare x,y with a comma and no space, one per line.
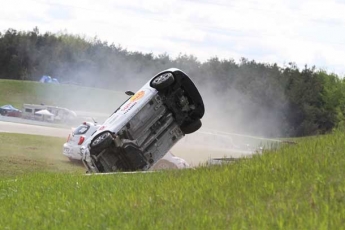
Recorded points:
23,154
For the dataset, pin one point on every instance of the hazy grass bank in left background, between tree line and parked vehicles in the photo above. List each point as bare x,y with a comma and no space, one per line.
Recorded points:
73,97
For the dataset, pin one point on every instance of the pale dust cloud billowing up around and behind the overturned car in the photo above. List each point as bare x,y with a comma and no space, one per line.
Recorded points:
227,110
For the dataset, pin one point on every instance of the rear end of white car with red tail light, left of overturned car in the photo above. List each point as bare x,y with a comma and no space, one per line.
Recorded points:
76,138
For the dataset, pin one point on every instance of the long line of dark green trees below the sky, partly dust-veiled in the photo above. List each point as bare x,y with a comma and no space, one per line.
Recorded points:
302,102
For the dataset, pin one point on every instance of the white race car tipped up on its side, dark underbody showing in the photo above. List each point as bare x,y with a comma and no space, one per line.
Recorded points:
146,126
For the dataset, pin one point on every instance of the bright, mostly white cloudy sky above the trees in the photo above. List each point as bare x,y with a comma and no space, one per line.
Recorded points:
306,32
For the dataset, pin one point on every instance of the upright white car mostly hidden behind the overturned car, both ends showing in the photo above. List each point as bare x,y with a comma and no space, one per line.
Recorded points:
76,138
